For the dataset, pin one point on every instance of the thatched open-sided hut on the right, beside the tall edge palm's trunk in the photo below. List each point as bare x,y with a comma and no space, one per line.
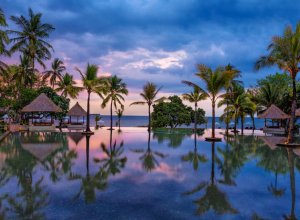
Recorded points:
277,120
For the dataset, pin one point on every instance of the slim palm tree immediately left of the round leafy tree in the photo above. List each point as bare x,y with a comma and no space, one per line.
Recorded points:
149,94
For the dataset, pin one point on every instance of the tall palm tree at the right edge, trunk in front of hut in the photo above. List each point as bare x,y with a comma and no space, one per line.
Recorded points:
284,51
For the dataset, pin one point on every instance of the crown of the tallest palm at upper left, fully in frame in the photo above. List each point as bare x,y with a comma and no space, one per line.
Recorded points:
31,38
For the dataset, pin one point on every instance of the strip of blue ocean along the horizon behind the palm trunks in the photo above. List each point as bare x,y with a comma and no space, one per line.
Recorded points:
136,121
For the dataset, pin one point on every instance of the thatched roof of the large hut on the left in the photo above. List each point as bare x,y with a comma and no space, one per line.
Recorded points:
42,104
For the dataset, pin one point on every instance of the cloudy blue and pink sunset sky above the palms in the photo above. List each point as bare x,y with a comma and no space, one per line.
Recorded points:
159,40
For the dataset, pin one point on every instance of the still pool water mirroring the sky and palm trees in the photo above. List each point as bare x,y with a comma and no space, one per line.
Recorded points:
131,174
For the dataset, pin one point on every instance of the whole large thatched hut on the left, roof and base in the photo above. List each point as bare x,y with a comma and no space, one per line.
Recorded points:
42,104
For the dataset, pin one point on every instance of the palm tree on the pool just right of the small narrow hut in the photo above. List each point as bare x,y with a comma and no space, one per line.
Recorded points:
92,84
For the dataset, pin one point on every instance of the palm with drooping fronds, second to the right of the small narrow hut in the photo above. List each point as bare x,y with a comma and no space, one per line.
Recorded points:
115,88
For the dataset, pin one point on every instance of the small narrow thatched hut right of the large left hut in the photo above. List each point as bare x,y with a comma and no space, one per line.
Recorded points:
79,113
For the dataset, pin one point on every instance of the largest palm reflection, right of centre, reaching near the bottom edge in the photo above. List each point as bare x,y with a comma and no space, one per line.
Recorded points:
213,198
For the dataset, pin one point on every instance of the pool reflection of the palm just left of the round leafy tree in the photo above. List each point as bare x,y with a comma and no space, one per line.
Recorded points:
149,157
